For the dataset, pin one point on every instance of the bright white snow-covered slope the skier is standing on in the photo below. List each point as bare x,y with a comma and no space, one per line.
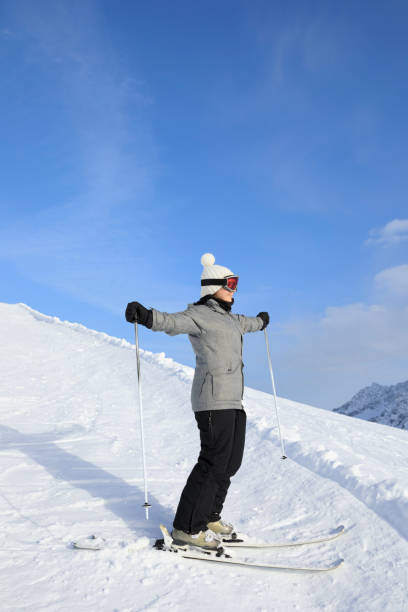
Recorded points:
70,465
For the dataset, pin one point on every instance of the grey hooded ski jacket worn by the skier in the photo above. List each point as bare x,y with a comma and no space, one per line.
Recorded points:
216,336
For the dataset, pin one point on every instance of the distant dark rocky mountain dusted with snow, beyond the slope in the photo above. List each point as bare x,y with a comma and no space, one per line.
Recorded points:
380,404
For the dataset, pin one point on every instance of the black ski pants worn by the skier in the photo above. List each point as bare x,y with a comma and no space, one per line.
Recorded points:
222,436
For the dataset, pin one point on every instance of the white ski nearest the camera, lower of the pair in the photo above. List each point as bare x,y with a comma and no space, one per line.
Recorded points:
219,556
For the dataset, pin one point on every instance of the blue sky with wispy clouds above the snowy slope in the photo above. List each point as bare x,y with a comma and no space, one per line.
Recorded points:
138,135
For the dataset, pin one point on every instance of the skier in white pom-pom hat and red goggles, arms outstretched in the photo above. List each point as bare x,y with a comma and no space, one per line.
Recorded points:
216,396
